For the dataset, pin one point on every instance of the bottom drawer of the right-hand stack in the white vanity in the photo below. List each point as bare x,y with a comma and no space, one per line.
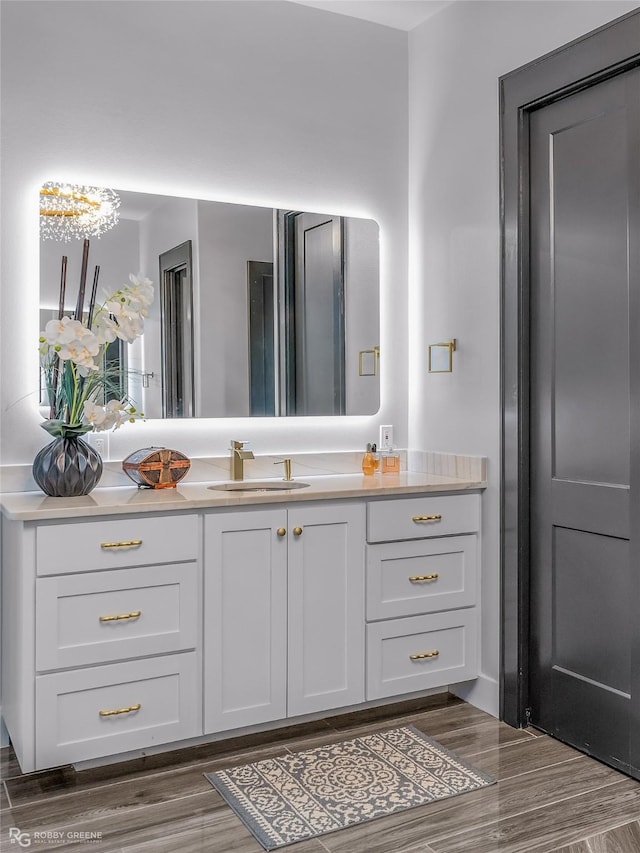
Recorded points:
448,642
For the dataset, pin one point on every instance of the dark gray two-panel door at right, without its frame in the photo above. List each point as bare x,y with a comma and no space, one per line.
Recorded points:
585,330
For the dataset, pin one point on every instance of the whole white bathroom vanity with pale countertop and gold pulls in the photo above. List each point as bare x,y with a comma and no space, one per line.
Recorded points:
137,620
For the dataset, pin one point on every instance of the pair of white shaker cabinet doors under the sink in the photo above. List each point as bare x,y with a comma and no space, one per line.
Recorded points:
284,598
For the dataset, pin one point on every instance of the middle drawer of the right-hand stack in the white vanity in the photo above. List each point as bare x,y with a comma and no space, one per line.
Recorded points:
423,576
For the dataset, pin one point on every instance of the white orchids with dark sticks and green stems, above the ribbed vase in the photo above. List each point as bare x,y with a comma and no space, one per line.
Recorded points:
72,353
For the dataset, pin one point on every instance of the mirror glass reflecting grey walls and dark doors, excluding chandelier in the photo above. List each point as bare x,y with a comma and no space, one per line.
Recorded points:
258,312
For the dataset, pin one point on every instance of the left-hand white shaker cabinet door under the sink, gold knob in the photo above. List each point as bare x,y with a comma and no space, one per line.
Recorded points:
245,626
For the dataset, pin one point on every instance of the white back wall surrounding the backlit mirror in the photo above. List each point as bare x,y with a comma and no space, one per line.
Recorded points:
270,103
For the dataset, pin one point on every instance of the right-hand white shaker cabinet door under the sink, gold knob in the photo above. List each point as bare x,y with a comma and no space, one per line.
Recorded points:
326,607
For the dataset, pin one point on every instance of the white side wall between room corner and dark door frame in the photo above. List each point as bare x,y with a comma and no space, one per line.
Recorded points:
455,60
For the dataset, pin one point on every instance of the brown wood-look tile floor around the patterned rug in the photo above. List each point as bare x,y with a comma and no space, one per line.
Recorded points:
548,797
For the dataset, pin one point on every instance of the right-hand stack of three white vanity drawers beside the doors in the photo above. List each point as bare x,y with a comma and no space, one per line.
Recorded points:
422,580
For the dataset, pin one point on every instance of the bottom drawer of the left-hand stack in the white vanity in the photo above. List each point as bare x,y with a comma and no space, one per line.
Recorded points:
157,700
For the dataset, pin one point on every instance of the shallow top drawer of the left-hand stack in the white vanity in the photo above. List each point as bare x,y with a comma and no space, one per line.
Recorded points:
111,544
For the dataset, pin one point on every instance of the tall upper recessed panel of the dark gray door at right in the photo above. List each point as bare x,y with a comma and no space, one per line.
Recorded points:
589,281
